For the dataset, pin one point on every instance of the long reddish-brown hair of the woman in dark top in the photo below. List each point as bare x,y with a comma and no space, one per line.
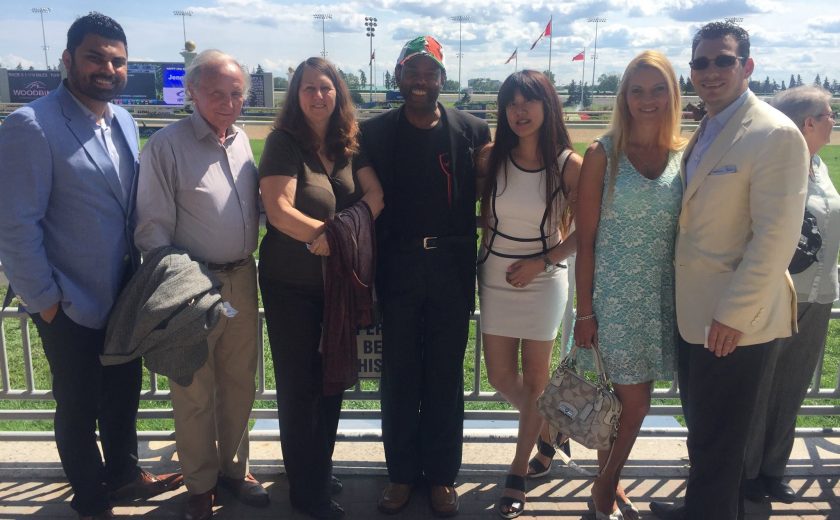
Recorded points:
341,141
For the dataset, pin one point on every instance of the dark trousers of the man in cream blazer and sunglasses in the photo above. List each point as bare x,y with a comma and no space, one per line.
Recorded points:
718,397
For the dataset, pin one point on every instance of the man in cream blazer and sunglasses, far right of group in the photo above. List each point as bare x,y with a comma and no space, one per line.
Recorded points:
743,202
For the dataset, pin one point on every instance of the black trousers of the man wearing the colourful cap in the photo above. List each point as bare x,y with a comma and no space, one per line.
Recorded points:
425,324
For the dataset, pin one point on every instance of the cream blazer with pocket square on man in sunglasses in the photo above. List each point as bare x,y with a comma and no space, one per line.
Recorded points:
740,223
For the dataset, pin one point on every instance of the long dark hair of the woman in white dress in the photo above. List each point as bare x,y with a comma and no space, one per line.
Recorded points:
553,139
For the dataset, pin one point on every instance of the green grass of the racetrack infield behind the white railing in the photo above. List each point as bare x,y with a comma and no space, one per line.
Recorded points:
41,375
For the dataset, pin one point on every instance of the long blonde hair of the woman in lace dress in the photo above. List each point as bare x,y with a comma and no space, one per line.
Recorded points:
621,123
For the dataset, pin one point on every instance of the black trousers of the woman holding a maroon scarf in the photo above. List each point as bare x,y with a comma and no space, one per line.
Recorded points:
308,419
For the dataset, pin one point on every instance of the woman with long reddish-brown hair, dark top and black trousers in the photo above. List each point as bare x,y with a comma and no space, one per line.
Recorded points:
307,174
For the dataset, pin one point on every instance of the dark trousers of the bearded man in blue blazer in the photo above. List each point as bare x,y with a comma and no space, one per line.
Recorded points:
86,393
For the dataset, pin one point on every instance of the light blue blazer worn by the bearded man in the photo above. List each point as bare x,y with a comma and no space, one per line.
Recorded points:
66,226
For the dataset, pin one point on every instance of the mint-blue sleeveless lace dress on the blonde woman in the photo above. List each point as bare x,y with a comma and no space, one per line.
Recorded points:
634,272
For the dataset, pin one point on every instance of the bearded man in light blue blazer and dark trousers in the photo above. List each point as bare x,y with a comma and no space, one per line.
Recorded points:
68,167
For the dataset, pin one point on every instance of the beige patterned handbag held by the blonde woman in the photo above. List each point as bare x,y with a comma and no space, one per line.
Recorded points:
585,411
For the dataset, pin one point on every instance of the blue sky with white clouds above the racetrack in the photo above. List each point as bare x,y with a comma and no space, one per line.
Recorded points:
788,37
